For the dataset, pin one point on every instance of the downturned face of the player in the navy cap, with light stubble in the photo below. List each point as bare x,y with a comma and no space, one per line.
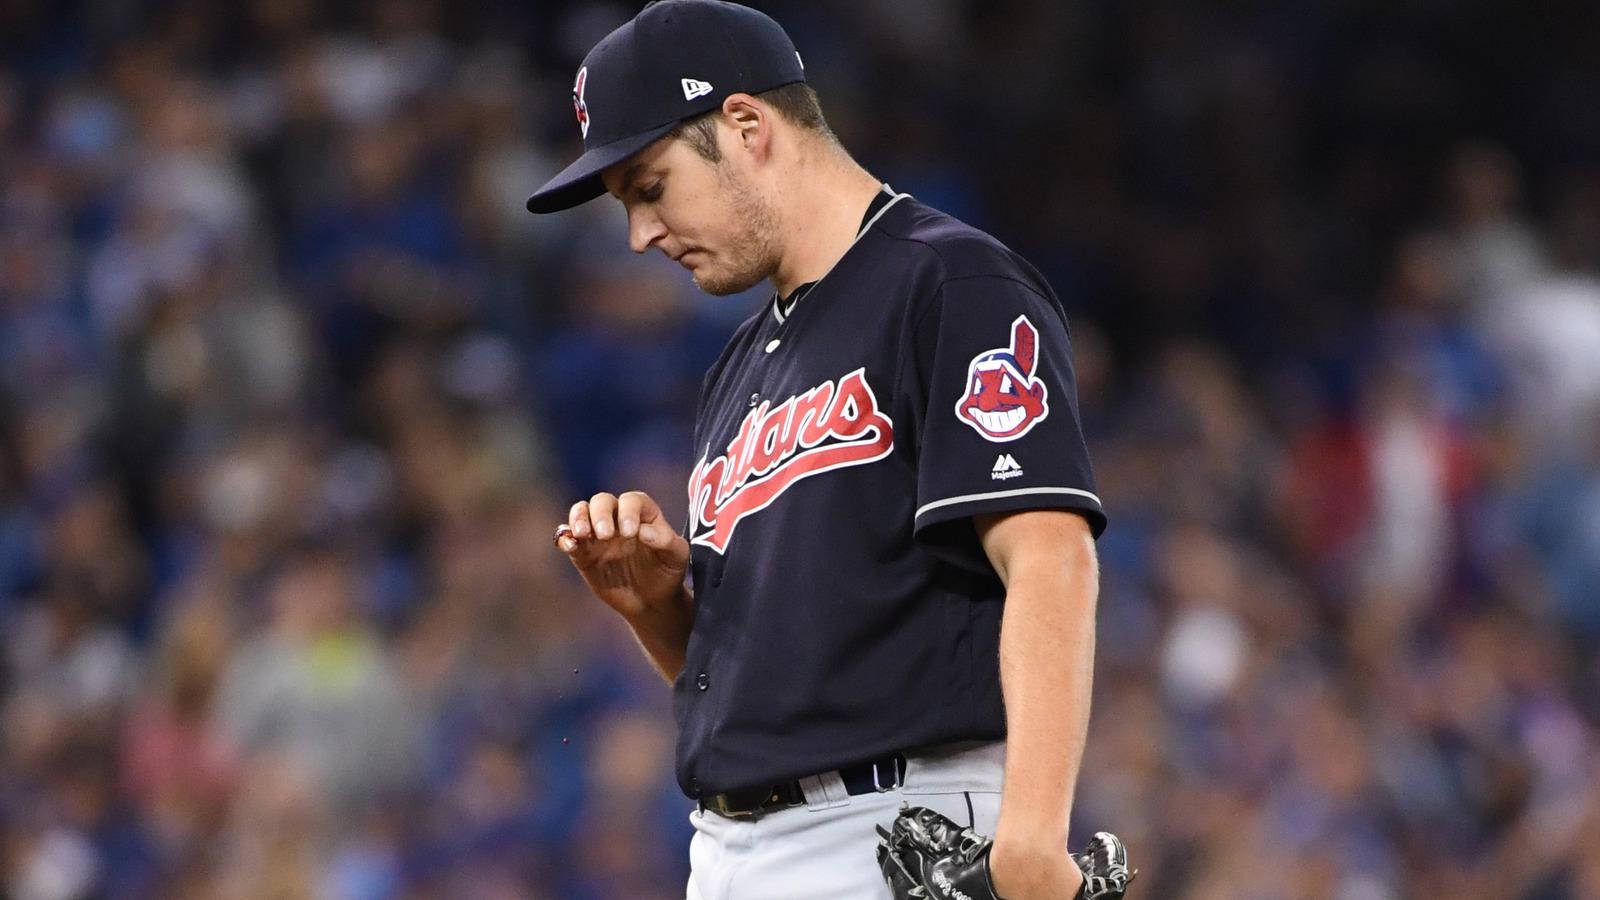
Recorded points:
703,215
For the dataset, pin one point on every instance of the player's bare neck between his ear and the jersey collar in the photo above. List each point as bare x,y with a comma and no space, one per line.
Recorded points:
822,220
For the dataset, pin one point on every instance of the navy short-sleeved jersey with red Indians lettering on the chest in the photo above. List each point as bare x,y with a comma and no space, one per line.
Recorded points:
844,608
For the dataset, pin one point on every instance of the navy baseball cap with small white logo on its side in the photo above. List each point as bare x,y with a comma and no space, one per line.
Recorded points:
673,62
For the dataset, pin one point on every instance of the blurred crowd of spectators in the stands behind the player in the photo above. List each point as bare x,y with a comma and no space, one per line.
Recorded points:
294,390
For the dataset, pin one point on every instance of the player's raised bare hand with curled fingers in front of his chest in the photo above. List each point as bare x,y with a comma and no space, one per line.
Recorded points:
626,552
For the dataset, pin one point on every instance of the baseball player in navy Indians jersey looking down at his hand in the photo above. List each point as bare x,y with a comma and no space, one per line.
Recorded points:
889,621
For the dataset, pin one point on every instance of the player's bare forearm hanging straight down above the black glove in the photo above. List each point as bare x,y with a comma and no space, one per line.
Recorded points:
1047,661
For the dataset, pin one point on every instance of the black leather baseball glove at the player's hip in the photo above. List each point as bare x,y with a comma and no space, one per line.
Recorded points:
929,858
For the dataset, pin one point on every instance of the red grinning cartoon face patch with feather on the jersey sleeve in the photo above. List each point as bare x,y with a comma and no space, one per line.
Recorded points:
1002,398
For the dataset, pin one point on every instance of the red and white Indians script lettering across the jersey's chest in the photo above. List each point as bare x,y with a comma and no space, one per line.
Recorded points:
831,427
